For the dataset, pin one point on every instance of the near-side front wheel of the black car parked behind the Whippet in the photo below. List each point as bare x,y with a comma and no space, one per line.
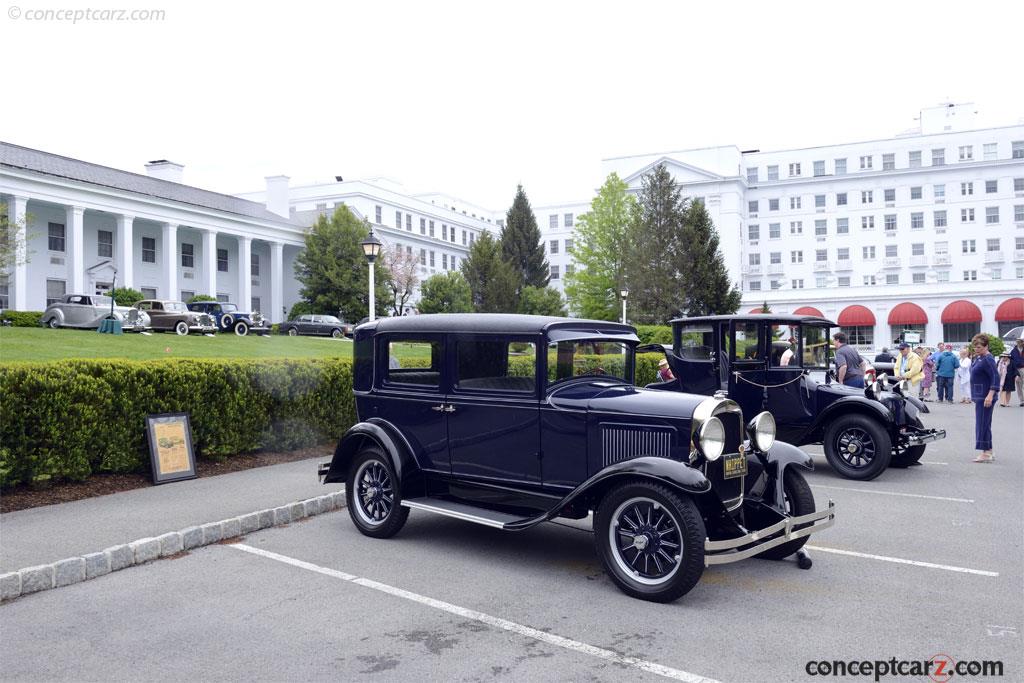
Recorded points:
858,448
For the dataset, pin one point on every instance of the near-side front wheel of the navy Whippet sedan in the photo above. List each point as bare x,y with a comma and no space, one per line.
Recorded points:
651,540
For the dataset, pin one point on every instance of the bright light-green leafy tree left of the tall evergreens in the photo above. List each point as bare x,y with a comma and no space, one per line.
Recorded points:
599,249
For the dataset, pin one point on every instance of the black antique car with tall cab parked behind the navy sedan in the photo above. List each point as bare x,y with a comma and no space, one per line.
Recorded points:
744,358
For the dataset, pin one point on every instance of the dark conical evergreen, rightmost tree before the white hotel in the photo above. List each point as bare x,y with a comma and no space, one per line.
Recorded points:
707,290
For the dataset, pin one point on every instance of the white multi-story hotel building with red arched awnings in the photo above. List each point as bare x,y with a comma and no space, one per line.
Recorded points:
923,232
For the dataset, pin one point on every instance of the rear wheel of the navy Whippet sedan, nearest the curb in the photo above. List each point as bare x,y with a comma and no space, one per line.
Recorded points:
374,495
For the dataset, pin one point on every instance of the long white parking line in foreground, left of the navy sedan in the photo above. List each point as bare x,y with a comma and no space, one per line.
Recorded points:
495,622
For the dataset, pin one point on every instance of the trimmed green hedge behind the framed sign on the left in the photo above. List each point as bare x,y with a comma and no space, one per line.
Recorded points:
69,419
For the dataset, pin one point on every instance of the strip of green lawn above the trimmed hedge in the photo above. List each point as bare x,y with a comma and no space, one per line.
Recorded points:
32,345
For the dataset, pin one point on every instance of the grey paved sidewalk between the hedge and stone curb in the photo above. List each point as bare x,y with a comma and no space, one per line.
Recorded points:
53,533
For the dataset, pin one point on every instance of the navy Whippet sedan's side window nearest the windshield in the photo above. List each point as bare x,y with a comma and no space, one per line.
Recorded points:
490,365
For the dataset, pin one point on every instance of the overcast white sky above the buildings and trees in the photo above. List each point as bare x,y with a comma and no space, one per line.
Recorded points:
472,99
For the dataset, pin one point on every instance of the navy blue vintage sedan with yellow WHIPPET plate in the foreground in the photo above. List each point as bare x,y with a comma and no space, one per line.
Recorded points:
511,421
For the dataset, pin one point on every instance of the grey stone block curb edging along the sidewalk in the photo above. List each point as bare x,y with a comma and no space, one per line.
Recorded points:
76,570
